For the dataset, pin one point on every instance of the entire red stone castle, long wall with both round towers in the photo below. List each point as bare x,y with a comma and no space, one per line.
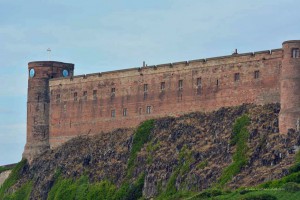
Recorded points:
61,106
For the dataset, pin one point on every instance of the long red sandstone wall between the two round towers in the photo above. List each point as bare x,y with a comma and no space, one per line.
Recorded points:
69,118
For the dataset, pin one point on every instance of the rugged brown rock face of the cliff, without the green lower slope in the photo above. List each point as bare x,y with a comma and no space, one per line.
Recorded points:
186,153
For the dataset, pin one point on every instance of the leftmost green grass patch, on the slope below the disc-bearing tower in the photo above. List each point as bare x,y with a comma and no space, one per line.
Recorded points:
12,179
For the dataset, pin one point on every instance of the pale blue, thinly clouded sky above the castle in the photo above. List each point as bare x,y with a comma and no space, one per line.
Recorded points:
99,35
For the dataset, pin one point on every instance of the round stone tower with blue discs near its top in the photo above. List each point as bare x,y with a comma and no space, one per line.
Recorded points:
38,99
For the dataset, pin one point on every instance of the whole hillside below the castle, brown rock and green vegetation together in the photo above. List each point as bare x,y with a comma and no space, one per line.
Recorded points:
232,153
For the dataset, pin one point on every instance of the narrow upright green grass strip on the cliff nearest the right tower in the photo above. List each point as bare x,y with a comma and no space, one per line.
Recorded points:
240,157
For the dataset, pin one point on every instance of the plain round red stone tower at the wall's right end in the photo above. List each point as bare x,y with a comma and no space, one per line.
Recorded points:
289,116
